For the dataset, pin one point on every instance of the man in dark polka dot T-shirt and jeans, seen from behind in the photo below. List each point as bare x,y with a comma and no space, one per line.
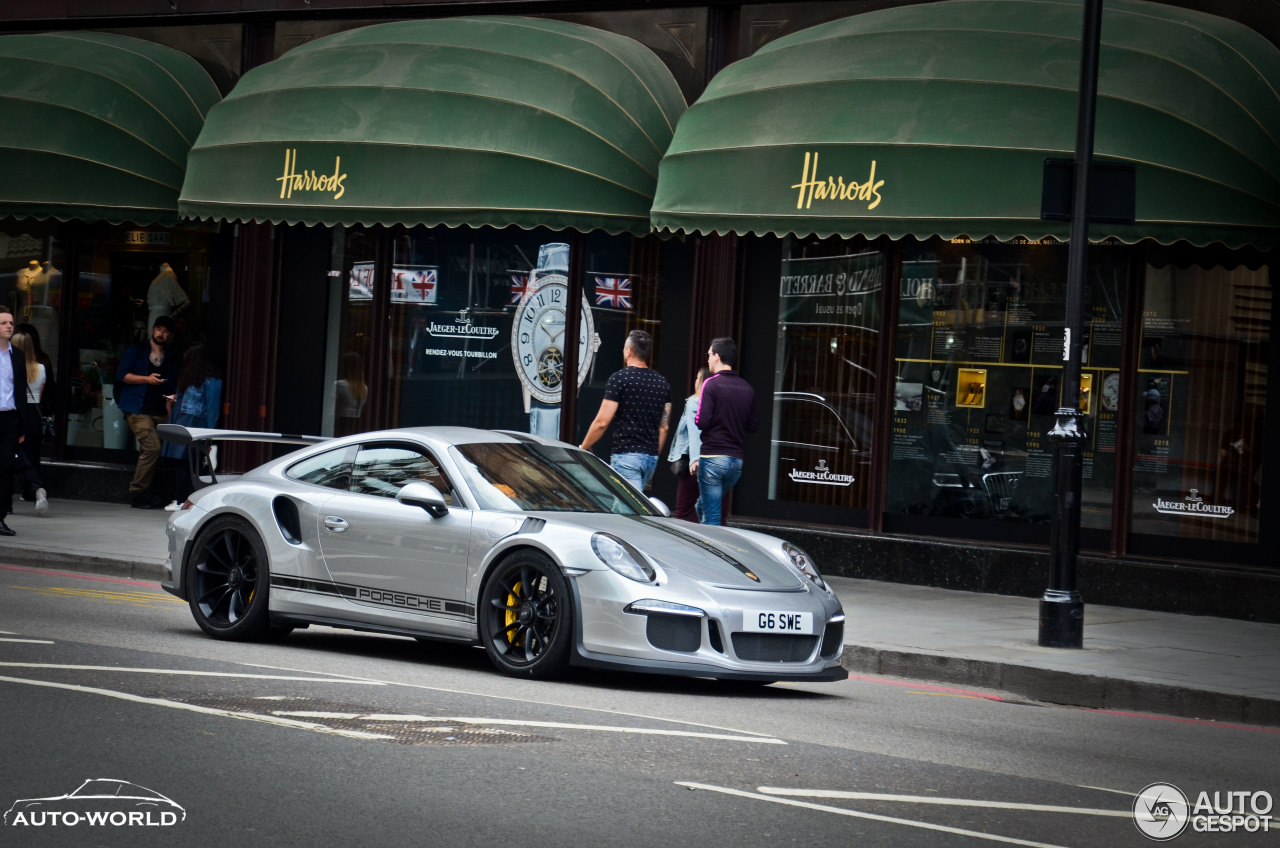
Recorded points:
638,404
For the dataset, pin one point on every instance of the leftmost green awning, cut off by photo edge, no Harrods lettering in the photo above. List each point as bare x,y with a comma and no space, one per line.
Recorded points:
97,126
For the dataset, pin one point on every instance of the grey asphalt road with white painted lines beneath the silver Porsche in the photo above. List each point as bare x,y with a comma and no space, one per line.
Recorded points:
339,738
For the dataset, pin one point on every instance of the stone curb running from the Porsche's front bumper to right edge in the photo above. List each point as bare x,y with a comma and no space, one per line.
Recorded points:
1064,689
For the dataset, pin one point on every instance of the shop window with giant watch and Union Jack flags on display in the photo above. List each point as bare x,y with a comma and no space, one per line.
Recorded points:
477,326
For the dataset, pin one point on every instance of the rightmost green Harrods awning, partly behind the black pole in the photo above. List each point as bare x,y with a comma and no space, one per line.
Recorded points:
936,120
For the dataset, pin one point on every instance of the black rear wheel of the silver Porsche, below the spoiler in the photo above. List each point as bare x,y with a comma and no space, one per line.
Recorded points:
228,582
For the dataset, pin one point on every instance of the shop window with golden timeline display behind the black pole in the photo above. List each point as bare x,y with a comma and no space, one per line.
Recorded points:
979,372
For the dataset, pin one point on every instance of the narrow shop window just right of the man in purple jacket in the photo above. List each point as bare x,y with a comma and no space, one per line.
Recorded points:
825,390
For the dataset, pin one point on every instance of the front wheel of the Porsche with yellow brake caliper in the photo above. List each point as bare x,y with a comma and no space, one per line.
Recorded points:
527,617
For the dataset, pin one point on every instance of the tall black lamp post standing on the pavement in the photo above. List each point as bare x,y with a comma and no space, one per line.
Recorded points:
1062,612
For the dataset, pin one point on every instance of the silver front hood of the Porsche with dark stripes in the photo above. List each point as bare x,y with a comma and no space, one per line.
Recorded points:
714,555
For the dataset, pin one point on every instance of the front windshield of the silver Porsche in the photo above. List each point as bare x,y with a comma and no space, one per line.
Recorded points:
529,477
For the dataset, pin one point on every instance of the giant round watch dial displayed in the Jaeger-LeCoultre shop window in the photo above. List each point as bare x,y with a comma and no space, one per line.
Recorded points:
538,338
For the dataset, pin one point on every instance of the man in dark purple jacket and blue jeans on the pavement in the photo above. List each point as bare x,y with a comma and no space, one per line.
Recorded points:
726,414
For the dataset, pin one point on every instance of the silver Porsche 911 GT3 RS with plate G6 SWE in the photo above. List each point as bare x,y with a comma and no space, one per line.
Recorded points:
532,548
